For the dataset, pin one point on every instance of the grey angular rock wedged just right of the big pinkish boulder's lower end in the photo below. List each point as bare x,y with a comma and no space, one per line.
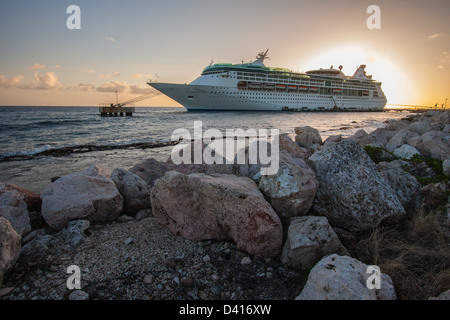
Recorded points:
309,239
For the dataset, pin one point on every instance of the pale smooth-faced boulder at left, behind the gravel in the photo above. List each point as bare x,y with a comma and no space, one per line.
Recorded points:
85,195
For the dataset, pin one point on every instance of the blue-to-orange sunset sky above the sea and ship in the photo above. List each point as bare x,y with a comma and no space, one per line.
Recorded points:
123,44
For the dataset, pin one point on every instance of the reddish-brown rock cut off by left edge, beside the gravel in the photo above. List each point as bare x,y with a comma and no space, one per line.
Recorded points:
9,247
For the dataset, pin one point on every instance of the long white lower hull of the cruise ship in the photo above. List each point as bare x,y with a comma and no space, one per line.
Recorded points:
220,98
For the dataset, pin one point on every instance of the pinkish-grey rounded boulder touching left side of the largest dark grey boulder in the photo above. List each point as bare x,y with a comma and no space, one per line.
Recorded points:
291,191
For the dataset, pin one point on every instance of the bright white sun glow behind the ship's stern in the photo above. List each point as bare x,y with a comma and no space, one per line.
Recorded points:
396,86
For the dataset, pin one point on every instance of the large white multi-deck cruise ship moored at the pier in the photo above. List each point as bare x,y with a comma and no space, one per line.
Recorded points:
256,87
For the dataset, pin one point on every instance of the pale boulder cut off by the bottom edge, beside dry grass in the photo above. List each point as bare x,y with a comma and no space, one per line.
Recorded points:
343,278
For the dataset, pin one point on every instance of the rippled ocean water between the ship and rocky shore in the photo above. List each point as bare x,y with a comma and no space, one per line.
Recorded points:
39,143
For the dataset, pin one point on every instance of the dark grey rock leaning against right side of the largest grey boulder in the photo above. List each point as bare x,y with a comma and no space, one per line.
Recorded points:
406,187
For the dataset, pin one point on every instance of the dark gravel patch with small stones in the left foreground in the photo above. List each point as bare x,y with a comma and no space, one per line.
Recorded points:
141,260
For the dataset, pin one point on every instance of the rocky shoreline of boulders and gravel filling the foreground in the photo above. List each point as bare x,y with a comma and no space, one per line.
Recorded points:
224,232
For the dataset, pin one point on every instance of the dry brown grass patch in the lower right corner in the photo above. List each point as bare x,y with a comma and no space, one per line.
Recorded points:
415,254
